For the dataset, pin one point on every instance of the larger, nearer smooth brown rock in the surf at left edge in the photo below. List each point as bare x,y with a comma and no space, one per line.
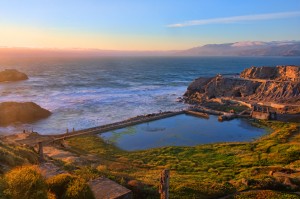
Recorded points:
26,112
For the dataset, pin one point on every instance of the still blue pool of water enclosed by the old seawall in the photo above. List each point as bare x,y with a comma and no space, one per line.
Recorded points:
182,130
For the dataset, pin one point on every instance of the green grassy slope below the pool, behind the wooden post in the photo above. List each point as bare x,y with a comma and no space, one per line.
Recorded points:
204,171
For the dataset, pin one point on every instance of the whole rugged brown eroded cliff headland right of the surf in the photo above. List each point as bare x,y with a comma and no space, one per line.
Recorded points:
268,84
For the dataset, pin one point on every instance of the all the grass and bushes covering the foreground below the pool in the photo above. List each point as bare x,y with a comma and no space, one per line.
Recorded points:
236,170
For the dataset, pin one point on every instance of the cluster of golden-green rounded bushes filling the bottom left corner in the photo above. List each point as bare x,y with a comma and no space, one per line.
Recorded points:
28,182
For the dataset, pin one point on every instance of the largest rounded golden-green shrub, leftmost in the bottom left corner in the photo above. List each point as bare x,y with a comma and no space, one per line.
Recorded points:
25,182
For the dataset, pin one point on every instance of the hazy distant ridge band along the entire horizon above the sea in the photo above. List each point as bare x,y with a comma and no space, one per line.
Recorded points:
243,48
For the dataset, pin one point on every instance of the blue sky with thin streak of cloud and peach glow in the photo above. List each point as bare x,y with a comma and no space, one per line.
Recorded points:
145,25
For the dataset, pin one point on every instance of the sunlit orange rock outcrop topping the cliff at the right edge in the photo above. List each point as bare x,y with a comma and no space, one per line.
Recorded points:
279,73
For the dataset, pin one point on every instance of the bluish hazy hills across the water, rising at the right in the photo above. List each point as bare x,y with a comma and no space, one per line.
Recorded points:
247,48
